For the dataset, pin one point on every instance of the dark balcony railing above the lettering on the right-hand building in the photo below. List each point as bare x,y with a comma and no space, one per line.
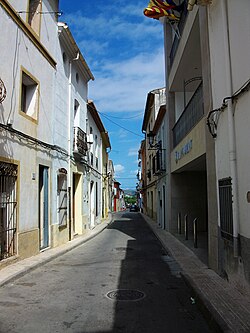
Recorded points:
191,115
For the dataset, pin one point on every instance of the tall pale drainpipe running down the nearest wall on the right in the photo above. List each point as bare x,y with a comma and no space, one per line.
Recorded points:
231,128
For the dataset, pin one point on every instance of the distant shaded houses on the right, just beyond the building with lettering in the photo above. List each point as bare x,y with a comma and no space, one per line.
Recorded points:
154,127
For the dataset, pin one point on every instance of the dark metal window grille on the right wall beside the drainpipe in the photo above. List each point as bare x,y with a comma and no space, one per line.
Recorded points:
226,208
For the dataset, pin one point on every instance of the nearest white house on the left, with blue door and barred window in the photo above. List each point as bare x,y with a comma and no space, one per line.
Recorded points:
27,145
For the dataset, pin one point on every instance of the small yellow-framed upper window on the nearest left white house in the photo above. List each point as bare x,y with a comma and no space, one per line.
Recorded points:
29,95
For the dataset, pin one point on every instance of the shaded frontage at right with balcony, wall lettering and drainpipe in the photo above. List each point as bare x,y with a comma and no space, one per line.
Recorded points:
207,82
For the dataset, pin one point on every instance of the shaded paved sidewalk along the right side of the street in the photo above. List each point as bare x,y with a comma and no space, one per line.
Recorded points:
223,305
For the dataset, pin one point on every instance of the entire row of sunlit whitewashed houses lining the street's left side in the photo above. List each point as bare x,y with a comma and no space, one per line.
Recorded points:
50,186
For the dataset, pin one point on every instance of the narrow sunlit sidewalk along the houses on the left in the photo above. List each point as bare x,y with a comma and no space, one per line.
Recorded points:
22,267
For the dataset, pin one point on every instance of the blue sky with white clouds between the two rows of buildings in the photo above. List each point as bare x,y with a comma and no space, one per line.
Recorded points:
124,50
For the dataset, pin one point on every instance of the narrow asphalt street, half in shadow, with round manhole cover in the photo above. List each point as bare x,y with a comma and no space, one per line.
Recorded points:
72,292
